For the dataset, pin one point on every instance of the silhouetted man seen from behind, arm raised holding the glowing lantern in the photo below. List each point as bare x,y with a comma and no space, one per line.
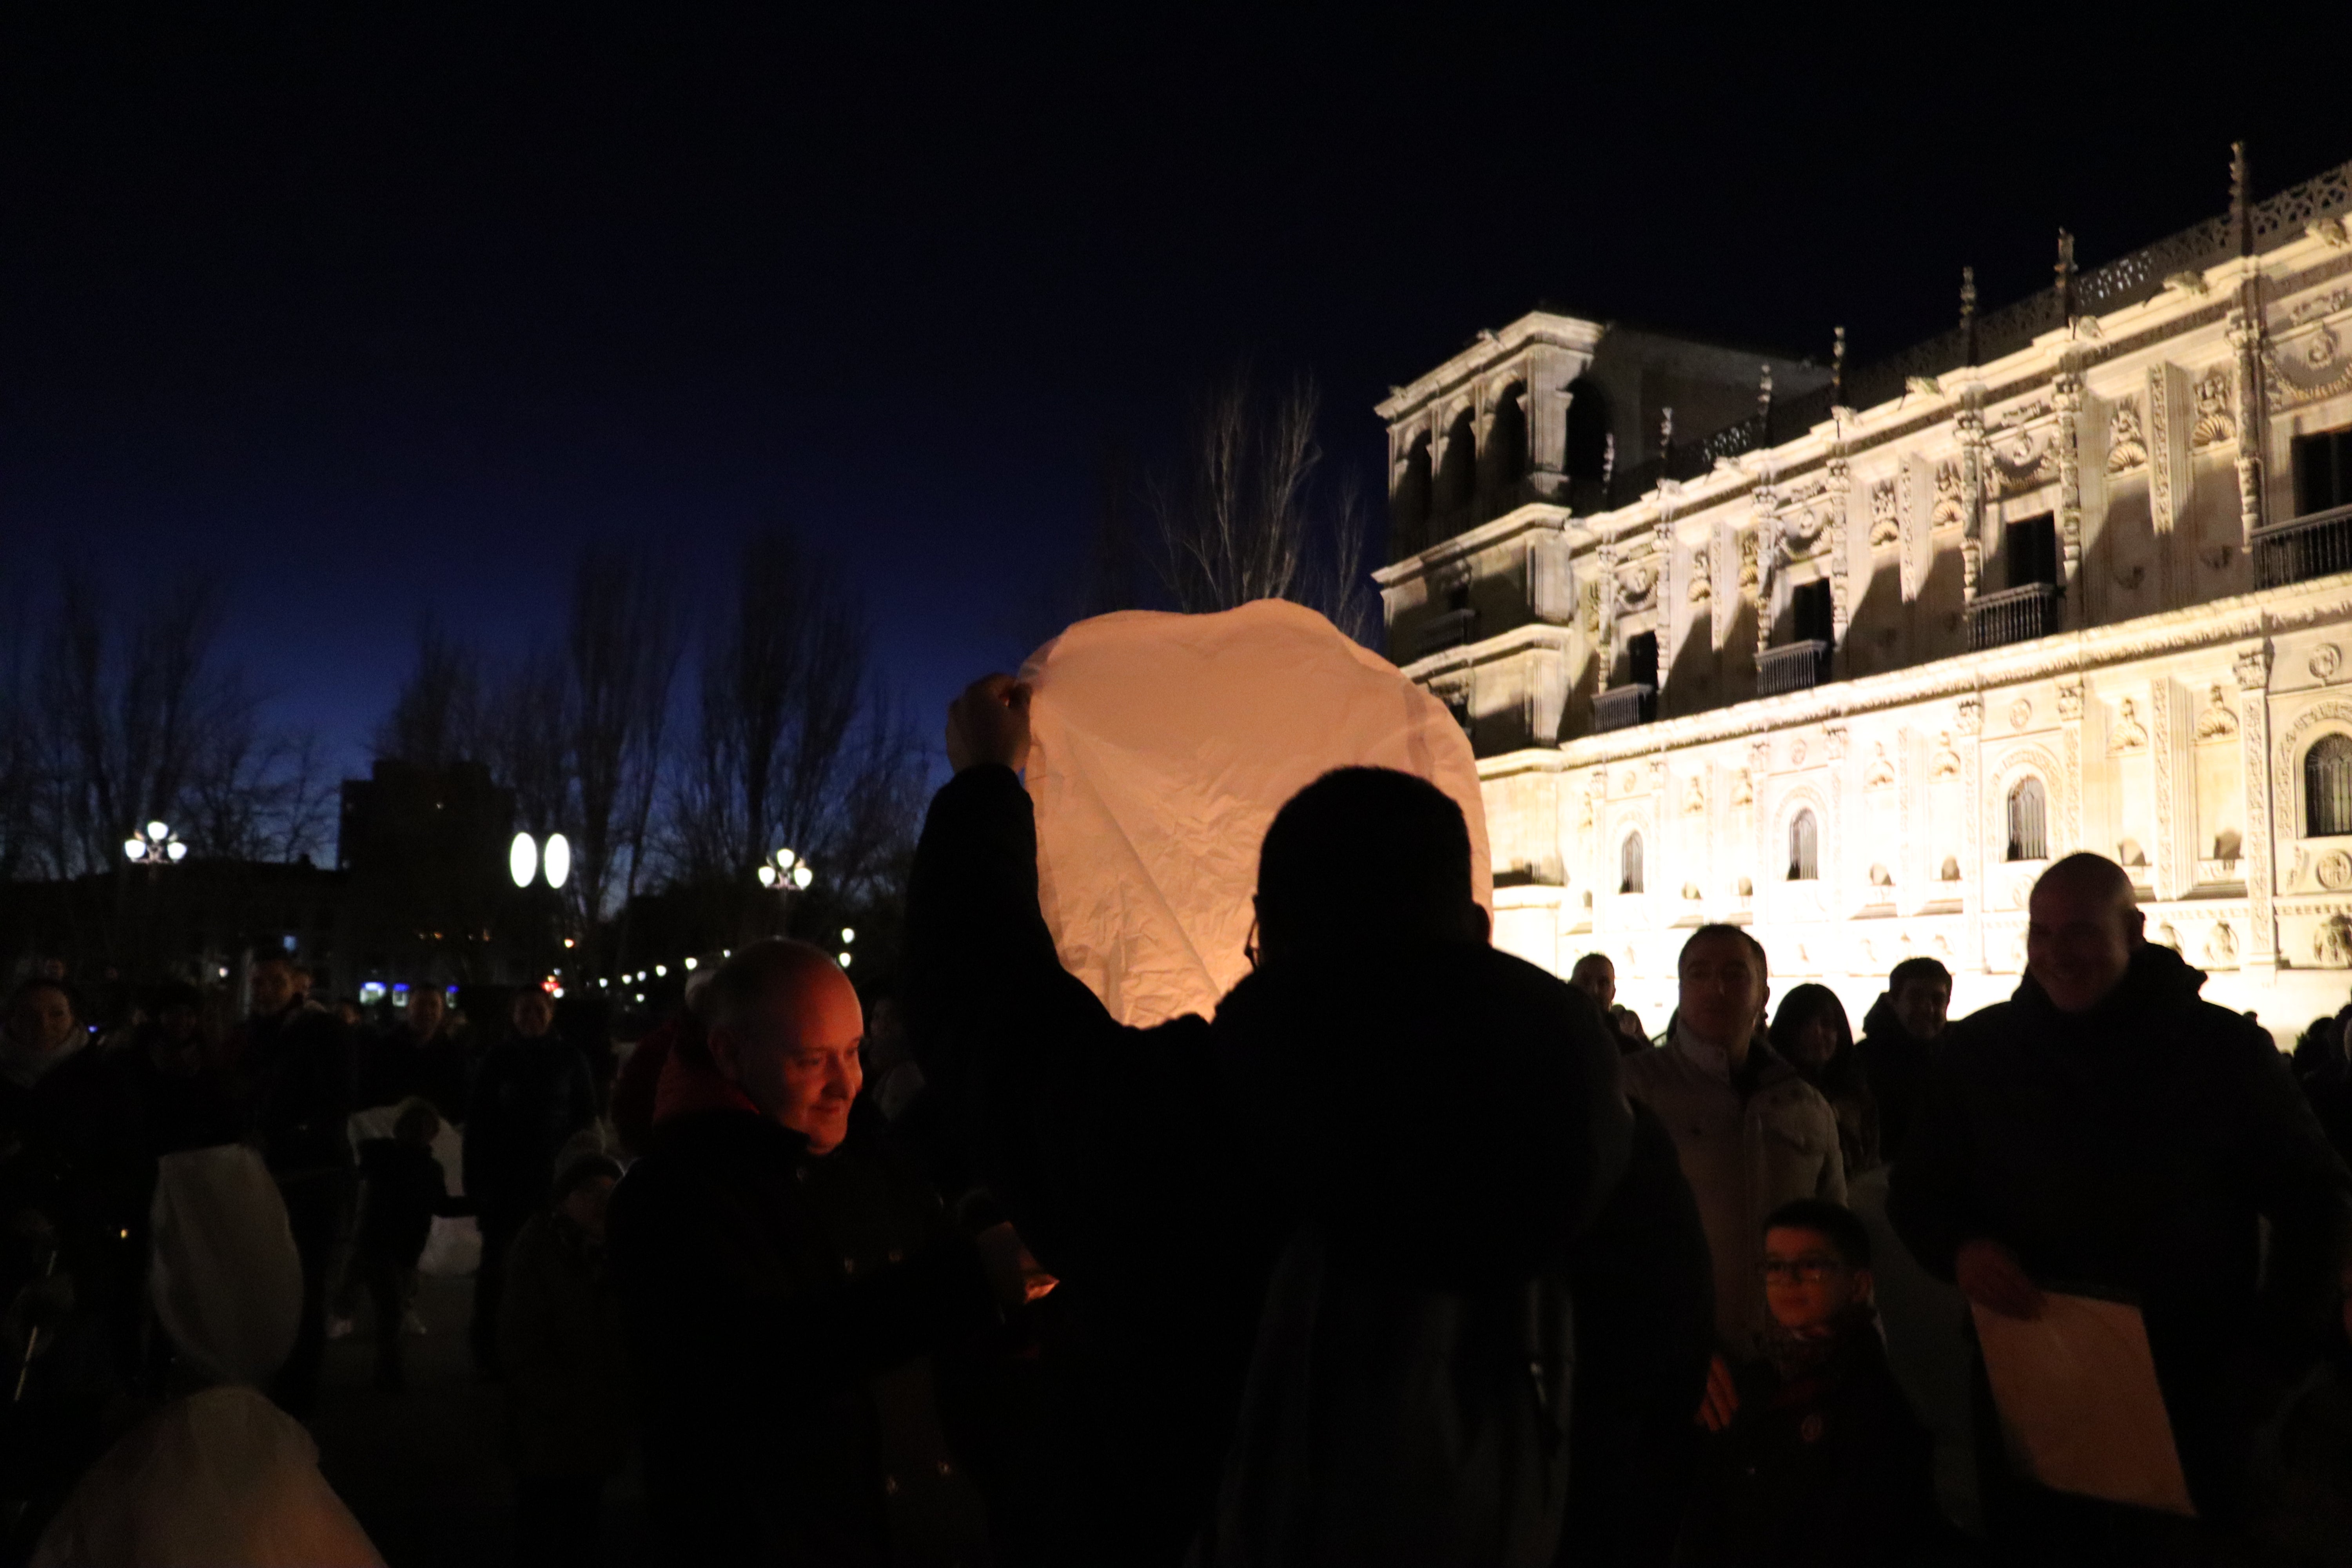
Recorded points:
1321,1252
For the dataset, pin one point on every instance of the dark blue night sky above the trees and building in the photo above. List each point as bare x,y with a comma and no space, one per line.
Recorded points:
377,311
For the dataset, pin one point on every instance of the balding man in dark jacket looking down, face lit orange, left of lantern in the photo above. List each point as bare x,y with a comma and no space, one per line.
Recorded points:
784,1282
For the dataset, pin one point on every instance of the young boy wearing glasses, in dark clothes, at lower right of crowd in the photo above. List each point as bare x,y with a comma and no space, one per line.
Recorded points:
1824,1461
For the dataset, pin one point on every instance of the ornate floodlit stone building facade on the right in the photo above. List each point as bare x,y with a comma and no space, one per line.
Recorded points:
1850,655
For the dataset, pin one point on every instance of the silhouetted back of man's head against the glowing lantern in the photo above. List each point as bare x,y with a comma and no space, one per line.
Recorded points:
1365,857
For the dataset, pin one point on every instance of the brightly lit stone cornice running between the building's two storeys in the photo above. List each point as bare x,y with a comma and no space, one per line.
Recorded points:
2203,626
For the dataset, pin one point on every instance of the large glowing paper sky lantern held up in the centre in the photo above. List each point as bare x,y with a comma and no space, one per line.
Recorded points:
1165,746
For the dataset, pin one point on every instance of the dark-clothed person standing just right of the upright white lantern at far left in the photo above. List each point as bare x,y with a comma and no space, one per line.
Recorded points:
295,1068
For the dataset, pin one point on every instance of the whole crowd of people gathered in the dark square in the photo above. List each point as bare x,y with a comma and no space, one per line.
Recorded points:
1412,1254
